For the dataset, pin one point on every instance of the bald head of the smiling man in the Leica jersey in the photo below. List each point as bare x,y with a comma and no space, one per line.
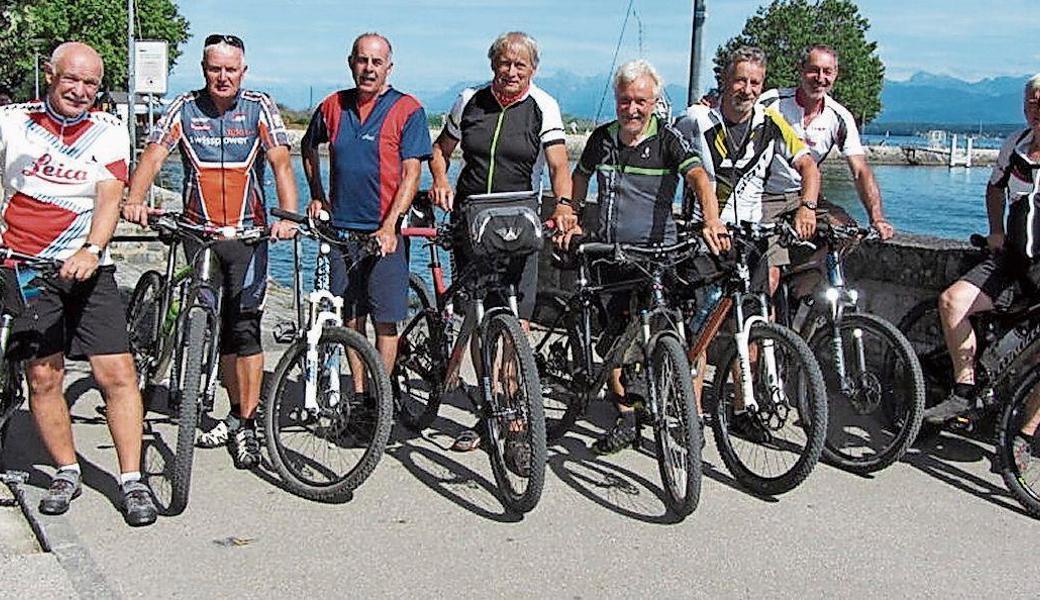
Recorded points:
73,79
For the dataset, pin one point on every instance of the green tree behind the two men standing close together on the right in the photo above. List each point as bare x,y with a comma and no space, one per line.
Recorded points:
786,28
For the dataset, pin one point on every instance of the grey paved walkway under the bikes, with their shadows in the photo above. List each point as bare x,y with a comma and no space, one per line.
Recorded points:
939,525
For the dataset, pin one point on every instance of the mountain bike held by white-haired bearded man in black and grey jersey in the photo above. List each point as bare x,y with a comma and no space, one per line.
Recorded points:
649,351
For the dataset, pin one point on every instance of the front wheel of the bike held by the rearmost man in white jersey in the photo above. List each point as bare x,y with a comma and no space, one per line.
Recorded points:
875,412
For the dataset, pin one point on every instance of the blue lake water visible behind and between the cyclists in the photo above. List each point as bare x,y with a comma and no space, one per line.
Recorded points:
923,200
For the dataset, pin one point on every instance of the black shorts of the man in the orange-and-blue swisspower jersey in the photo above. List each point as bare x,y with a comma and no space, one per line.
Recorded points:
243,274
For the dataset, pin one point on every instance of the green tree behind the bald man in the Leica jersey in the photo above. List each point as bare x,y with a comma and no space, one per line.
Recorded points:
39,27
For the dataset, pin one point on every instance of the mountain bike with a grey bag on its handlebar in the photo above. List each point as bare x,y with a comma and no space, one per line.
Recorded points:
431,351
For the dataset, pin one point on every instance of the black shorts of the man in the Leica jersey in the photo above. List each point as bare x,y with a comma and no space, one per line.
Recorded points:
81,320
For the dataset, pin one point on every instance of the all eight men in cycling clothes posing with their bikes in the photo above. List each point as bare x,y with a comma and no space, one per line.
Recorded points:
743,155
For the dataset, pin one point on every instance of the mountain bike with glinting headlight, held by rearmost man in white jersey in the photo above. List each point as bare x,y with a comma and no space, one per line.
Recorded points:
876,389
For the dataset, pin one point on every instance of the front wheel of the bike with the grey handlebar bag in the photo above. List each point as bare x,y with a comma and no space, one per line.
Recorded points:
514,416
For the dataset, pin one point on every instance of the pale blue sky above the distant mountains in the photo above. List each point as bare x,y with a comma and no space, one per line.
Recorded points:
440,43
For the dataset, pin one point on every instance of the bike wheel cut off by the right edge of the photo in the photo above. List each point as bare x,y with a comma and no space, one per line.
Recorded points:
1020,456
